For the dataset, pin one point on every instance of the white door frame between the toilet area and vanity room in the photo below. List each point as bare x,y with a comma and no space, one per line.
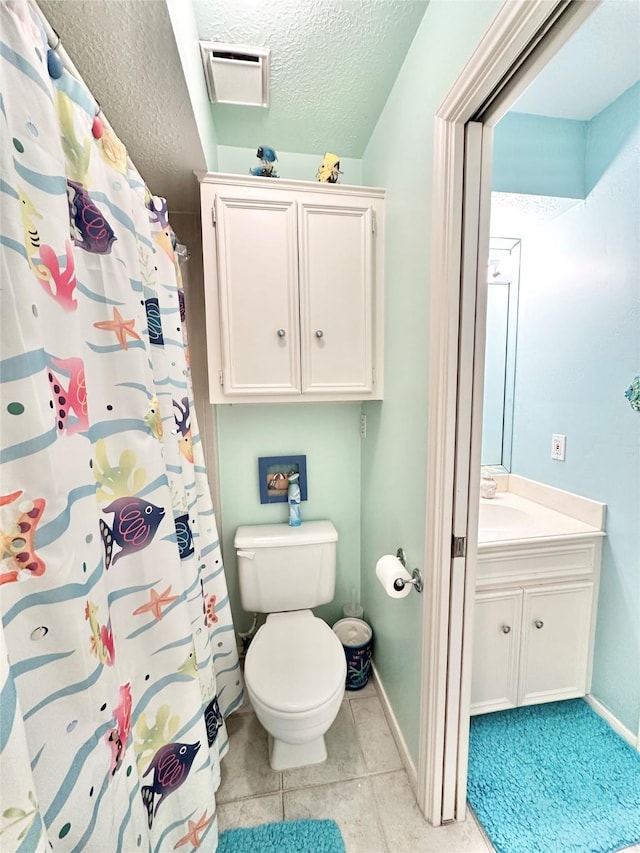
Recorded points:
522,38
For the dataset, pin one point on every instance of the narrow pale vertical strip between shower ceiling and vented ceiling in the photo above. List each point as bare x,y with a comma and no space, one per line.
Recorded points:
185,32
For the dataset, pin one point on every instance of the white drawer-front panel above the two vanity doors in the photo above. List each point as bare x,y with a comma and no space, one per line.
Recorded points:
521,562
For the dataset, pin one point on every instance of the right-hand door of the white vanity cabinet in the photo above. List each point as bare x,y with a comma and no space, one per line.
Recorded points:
556,623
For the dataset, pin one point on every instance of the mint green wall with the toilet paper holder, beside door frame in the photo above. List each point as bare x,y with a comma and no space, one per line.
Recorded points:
400,157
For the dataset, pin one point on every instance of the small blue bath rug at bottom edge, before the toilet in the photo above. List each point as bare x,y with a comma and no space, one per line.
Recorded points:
289,836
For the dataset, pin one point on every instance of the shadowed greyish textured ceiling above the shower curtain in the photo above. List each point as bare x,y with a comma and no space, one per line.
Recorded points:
126,52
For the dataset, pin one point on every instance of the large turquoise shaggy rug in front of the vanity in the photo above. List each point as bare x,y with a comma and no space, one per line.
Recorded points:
553,778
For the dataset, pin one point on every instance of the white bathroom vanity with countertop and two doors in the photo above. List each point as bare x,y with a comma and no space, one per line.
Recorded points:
538,568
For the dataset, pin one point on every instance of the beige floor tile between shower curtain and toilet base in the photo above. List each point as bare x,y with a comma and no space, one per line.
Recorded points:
245,770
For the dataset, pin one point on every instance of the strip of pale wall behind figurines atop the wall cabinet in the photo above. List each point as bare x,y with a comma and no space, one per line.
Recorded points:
295,167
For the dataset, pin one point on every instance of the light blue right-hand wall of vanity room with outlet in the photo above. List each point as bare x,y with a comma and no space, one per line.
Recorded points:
578,350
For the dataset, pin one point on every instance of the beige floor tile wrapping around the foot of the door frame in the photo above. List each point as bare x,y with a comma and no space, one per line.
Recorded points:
406,830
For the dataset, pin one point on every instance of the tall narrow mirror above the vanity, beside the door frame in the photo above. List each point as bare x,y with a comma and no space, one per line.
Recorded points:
500,352
